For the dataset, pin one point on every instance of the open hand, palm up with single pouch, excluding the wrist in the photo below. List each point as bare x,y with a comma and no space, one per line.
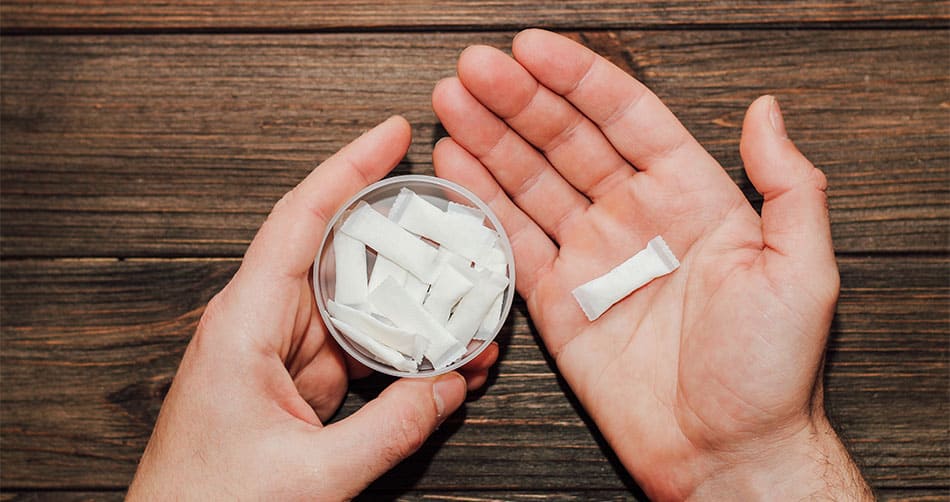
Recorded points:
700,369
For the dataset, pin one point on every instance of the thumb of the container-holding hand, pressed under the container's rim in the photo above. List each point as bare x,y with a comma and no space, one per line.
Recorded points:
393,426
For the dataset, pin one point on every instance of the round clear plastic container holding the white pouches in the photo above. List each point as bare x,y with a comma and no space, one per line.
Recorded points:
380,196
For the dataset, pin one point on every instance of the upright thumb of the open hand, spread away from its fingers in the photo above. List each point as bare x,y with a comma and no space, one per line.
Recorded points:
795,221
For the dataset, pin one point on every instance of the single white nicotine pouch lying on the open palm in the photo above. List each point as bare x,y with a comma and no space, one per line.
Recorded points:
598,295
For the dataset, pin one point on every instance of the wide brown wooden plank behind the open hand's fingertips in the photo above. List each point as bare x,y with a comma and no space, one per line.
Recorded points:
179,145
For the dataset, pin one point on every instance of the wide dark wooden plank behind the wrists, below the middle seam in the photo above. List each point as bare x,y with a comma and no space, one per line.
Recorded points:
88,348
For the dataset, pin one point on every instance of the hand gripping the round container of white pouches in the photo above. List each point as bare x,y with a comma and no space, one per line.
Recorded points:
245,414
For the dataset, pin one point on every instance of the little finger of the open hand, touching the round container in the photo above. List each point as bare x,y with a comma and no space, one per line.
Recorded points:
534,251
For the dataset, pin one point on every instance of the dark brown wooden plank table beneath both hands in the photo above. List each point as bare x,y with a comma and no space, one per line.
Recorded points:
143,142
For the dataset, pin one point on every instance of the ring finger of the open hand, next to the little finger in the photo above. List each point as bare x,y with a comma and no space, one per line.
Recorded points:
531,182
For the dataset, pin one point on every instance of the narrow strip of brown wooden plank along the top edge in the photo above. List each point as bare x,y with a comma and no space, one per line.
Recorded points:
24,15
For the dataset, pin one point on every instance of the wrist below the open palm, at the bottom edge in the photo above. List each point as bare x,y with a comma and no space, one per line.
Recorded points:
810,464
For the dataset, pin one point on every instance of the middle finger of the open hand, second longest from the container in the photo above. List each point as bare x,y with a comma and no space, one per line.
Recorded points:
573,144
